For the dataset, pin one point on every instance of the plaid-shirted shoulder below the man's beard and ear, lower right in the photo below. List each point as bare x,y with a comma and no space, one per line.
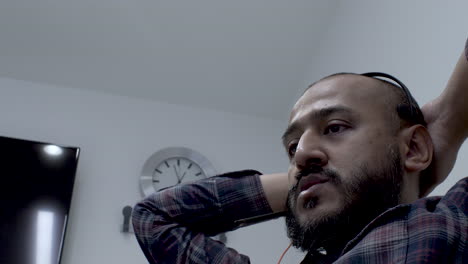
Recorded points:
430,230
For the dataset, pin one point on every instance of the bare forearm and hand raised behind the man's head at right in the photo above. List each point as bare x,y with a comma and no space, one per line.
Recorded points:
447,118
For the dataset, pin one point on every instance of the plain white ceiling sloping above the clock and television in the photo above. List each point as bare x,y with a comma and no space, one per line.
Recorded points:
244,56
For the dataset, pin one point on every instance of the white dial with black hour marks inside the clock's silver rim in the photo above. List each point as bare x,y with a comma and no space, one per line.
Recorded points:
176,170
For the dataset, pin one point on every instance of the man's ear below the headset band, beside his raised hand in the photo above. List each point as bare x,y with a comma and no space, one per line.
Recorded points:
418,148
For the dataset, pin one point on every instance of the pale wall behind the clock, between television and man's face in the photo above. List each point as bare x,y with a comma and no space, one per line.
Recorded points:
116,135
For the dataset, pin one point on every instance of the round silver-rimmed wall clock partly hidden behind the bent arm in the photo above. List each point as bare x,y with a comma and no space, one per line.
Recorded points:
172,166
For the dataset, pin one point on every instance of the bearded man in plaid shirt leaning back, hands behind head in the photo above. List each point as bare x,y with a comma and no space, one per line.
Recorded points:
361,156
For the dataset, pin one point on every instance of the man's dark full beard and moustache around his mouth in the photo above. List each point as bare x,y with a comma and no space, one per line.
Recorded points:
366,194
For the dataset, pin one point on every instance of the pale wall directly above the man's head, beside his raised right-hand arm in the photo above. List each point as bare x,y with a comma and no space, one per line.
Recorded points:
417,41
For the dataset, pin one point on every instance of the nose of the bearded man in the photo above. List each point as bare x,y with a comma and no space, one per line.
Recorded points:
310,152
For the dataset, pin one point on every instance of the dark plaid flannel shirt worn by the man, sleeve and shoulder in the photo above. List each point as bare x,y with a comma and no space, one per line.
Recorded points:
174,225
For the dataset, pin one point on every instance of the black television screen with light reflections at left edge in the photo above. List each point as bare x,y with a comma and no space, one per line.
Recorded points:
36,184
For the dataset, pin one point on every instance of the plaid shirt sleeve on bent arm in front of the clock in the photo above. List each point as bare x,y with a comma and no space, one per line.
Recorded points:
174,225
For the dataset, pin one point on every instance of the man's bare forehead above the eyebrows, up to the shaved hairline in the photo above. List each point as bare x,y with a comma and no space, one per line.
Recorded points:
363,95
